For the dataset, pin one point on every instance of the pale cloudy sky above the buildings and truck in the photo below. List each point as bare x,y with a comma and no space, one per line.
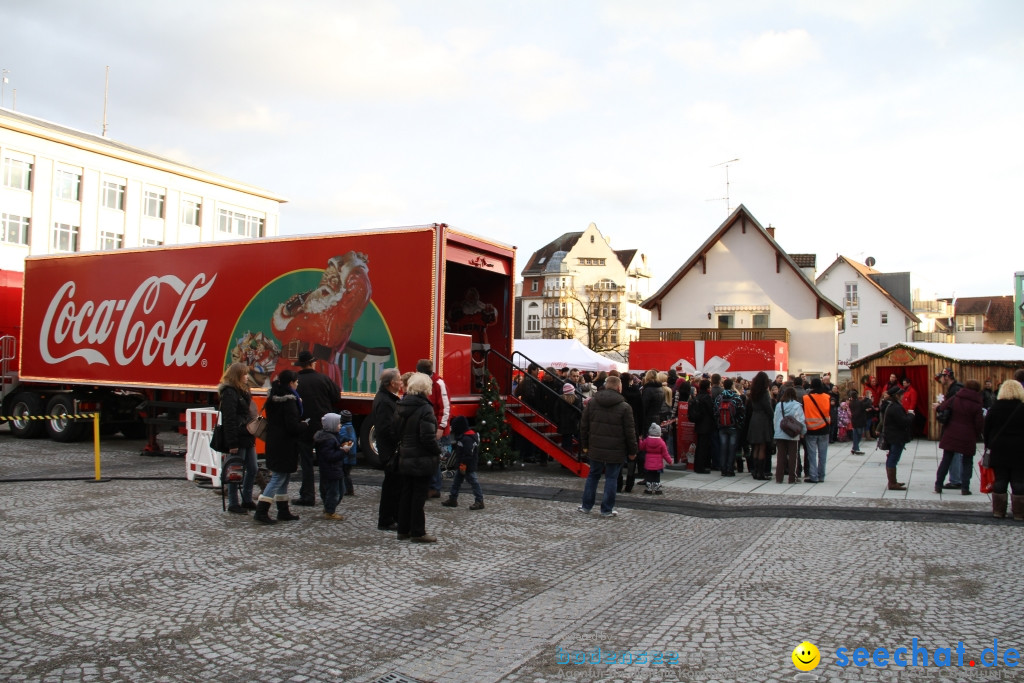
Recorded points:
890,130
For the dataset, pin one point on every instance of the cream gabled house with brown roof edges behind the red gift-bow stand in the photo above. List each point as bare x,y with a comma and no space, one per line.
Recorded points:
742,285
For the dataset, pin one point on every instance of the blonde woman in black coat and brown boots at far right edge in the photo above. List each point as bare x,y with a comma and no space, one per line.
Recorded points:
1005,439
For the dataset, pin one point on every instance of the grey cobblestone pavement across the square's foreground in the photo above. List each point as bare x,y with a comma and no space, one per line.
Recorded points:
147,580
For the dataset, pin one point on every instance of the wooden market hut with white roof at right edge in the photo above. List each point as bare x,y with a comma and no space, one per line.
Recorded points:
922,362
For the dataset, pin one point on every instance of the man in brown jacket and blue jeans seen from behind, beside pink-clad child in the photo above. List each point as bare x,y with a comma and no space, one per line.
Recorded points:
609,438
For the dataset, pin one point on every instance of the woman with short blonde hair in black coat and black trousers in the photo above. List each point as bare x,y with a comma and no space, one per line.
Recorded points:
418,457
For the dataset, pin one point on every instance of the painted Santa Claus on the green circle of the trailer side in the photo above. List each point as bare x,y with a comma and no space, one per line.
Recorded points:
321,321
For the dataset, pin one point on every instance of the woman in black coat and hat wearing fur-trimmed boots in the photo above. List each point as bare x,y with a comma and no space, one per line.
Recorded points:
285,425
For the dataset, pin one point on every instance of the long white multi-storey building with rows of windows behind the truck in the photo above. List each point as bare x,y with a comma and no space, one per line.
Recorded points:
66,191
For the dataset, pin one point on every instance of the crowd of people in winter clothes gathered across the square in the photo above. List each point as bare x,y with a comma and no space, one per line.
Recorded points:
624,424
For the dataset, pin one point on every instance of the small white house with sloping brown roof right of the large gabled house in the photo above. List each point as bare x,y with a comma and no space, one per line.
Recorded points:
877,308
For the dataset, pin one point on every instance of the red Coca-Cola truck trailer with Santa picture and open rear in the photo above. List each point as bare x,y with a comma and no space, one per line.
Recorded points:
142,335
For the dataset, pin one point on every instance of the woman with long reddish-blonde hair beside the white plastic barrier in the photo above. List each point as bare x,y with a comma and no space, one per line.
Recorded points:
237,410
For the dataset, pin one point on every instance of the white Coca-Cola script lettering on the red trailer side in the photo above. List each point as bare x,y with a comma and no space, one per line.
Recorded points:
89,325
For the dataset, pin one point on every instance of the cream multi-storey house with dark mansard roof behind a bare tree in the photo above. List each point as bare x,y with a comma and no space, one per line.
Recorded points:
578,287
